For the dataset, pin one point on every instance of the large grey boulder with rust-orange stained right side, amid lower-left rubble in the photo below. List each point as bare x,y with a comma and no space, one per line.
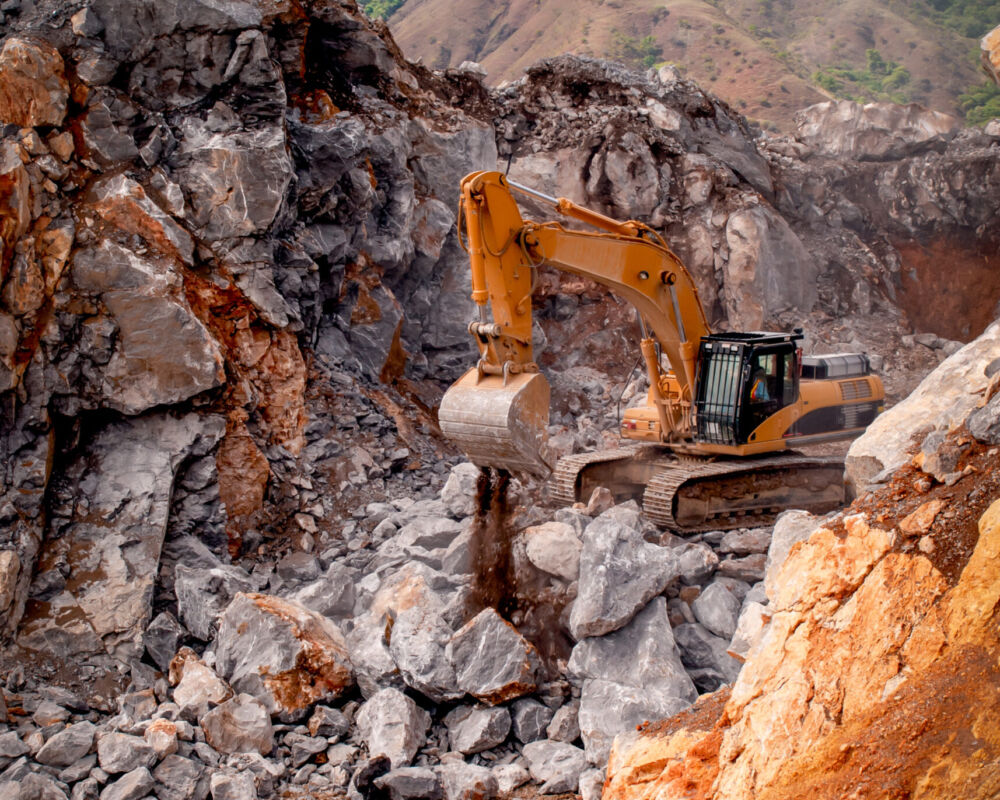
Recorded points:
282,653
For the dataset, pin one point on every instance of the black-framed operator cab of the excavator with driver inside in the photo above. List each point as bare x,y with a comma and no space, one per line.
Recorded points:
744,378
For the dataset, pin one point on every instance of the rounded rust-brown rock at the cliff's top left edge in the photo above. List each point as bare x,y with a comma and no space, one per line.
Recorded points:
33,88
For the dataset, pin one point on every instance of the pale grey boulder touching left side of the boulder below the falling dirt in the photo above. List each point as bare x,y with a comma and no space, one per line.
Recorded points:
417,644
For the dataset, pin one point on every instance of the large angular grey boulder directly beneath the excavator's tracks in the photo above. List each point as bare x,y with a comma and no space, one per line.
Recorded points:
619,573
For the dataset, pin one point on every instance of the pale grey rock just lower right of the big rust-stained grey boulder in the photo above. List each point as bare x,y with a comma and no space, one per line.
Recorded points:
391,724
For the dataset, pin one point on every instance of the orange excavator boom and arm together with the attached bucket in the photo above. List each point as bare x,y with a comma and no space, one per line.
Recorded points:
498,411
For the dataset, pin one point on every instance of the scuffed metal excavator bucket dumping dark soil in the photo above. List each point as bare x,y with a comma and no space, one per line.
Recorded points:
497,424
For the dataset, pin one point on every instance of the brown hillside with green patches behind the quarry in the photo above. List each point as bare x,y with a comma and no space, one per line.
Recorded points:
768,58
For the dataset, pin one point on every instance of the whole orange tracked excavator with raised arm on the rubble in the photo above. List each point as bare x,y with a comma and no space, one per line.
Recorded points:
711,448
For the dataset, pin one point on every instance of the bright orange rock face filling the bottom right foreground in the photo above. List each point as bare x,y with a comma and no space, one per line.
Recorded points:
878,677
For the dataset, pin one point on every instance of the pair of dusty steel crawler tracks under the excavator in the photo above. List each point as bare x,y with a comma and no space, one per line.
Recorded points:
691,495
